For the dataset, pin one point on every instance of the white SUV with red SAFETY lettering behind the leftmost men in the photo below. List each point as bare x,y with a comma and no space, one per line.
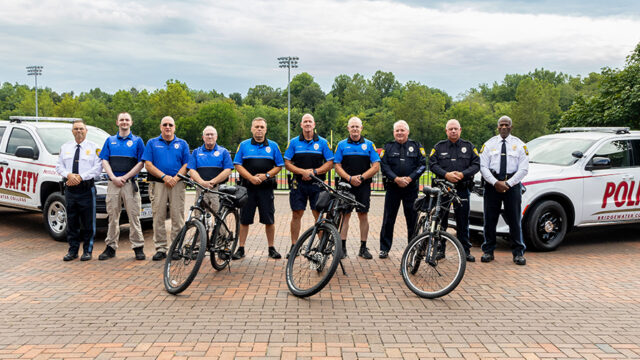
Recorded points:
28,179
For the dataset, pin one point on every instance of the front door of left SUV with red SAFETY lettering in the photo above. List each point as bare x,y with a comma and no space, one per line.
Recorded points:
18,177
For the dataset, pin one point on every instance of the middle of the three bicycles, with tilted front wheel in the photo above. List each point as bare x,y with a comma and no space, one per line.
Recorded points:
316,254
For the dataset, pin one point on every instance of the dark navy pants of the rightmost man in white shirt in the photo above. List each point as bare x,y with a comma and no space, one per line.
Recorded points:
512,200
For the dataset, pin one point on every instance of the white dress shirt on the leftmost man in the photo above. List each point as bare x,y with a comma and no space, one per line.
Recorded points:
89,166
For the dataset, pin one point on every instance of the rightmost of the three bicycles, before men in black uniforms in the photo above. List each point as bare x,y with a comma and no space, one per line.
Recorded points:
443,256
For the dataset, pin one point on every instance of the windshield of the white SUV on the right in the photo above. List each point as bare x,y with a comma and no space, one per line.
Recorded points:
556,151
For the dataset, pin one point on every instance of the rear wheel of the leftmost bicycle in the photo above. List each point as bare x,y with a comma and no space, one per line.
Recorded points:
230,241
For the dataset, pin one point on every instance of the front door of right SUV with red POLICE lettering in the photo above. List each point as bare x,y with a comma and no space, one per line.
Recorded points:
611,192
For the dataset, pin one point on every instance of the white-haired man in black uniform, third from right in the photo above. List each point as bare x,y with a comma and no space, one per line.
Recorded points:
402,164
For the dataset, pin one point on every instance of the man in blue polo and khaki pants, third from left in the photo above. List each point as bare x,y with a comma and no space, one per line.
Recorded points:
165,157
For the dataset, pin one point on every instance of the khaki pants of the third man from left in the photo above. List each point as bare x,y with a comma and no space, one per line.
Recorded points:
160,195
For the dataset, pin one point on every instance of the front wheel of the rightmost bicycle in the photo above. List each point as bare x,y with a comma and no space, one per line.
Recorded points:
429,274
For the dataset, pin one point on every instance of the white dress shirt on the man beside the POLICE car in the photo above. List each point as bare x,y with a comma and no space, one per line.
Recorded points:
517,159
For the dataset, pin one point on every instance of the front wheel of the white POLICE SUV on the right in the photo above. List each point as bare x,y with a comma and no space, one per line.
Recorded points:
545,226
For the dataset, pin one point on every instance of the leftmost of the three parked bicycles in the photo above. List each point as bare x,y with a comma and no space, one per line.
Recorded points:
198,236
